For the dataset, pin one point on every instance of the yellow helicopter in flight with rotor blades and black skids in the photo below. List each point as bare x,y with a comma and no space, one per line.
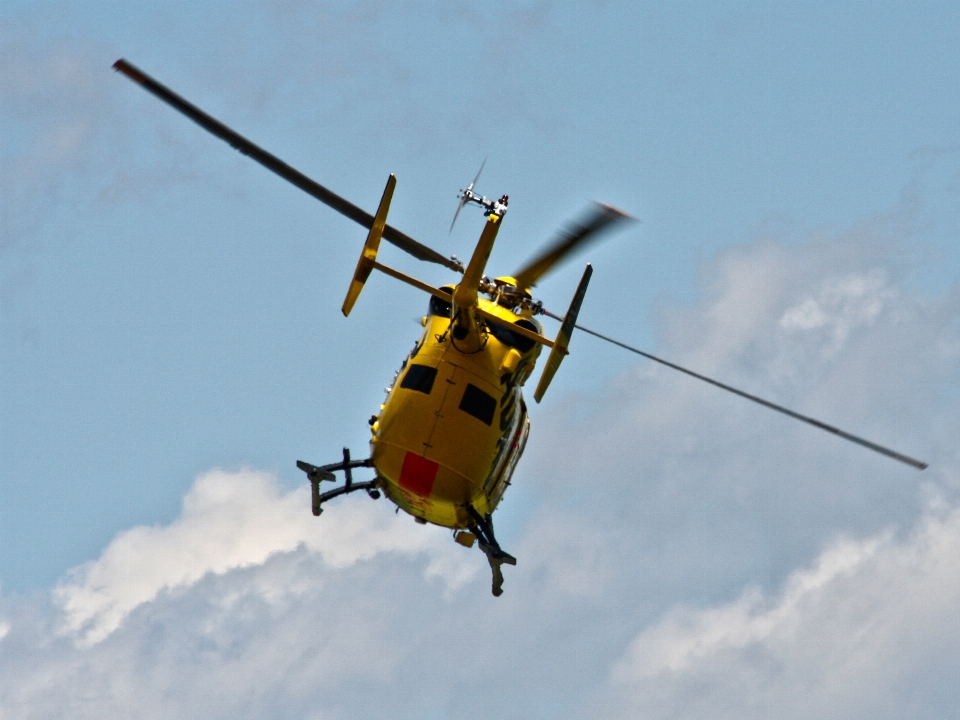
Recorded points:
447,438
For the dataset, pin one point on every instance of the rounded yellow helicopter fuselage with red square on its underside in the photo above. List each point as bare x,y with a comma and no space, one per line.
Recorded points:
454,423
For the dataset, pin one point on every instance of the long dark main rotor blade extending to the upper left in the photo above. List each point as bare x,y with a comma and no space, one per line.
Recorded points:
271,162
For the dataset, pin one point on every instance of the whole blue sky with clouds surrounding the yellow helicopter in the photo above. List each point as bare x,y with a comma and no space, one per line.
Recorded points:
172,343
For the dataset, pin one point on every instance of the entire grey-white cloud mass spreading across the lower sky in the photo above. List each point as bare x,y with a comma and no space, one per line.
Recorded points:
670,561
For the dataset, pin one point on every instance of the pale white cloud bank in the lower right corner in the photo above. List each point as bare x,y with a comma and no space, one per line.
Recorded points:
840,639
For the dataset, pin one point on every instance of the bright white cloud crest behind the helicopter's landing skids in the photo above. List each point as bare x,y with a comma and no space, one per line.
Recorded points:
234,520
